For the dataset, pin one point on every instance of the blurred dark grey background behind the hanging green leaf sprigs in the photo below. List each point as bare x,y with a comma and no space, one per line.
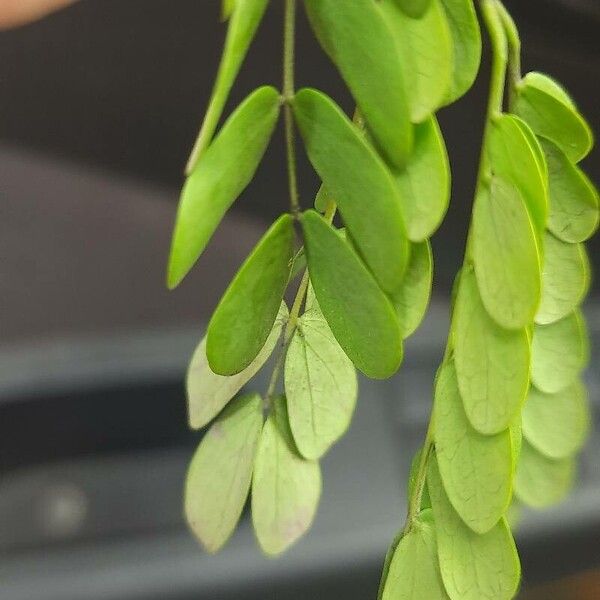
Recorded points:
99,107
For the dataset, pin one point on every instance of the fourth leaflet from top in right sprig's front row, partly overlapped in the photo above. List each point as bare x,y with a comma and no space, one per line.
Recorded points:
476,469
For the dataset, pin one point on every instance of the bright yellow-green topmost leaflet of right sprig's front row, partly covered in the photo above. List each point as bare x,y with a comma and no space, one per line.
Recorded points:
514,159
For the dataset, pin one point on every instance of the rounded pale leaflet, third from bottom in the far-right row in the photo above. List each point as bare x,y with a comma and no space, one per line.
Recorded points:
559,353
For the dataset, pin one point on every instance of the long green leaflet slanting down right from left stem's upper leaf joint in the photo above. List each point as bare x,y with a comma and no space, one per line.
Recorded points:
359,181
